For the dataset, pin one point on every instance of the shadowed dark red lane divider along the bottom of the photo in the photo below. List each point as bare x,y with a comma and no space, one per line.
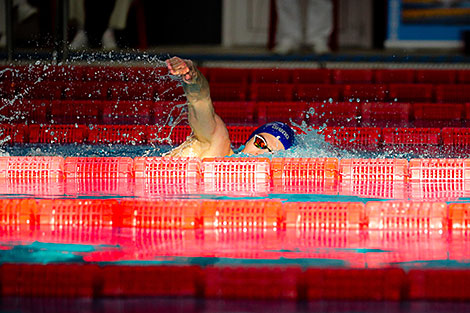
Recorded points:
357,289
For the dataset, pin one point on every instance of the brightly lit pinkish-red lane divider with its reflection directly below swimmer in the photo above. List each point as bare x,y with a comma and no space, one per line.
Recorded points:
150,177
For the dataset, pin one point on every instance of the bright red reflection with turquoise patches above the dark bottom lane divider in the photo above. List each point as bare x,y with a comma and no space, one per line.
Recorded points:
316,247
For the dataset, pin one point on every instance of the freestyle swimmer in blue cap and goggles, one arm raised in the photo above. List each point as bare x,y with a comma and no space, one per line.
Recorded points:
209,136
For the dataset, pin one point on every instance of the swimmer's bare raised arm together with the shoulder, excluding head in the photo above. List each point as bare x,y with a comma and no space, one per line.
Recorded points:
209,136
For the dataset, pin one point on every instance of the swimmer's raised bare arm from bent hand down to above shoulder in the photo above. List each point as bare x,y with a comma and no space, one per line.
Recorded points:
201,116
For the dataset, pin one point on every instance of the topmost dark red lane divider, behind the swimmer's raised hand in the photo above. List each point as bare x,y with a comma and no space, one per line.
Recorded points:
237,75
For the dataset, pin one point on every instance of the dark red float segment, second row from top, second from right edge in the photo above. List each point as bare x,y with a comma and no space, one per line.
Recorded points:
411,92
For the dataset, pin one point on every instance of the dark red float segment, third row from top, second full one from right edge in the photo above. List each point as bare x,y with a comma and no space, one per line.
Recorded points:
386,114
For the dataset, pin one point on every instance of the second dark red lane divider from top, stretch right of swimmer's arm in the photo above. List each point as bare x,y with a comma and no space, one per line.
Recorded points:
346,92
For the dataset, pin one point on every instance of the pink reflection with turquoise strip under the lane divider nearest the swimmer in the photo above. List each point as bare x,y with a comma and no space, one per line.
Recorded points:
191,188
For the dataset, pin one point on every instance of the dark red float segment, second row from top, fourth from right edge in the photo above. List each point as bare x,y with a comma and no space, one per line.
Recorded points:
317,92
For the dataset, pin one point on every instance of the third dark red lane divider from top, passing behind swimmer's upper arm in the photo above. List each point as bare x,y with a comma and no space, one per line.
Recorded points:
392,114
